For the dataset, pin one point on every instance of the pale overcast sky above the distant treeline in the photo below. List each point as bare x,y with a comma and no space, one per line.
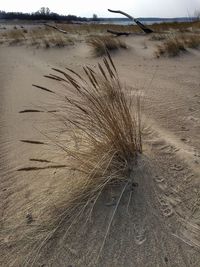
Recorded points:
137,8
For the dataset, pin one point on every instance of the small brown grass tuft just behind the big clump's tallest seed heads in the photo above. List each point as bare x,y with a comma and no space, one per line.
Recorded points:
101,44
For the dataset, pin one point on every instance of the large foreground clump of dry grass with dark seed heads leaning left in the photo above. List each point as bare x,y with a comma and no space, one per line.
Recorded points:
102,125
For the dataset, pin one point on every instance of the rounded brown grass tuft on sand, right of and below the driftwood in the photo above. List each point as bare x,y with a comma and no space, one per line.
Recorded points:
171,47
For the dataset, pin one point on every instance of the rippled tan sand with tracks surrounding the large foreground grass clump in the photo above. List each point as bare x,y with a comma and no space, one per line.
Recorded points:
159,224
